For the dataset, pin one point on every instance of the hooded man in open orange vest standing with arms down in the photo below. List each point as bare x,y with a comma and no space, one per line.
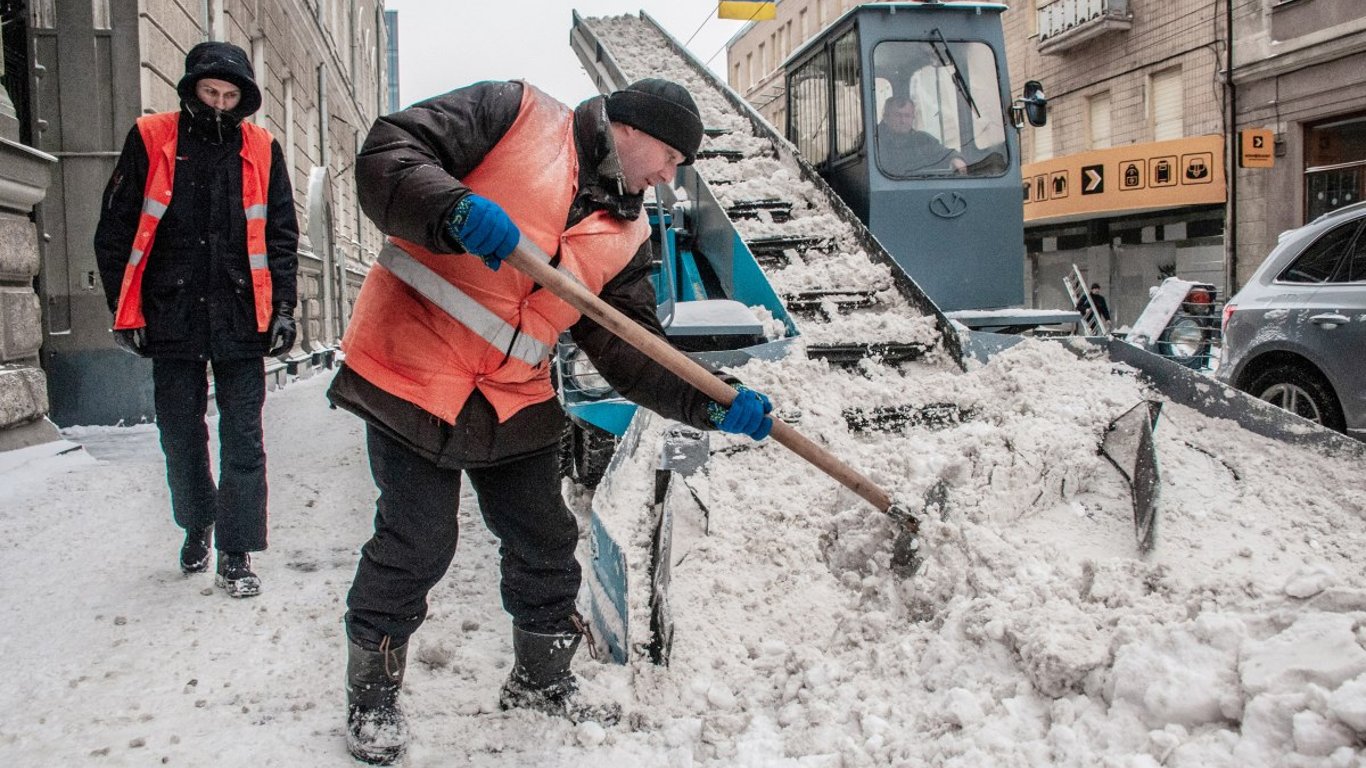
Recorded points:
197,247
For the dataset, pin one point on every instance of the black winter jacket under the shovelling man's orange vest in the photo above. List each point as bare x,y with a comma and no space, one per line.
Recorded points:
408,180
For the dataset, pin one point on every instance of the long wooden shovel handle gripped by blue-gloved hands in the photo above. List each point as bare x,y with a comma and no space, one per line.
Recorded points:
531,260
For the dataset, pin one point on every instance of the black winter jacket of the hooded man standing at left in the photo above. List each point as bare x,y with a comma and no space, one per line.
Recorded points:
197,293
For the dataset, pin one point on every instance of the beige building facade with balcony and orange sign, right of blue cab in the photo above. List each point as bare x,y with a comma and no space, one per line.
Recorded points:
1126,182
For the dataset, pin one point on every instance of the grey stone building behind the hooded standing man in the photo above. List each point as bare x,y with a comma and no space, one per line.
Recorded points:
92,69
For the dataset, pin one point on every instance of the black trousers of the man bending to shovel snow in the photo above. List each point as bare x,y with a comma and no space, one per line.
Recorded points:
416,532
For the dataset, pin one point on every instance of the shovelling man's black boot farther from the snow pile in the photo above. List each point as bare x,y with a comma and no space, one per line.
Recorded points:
376,730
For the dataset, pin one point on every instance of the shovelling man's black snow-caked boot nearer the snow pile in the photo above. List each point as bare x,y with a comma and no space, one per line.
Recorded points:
542,680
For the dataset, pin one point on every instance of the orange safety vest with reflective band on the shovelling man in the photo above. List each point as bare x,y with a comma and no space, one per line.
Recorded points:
431,327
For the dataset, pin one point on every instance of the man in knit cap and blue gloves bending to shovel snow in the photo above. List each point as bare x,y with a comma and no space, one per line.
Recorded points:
447,361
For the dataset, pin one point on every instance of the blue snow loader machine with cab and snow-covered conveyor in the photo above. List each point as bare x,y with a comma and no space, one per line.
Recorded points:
816,247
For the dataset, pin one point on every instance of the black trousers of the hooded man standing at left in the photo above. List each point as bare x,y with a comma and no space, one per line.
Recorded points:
237,505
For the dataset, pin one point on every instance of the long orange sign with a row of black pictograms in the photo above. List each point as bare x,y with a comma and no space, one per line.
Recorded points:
1126,180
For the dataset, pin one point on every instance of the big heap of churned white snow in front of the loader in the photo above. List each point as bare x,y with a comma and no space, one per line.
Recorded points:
1036,635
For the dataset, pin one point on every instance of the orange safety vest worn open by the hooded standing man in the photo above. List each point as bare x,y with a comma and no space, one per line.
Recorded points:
159,137
